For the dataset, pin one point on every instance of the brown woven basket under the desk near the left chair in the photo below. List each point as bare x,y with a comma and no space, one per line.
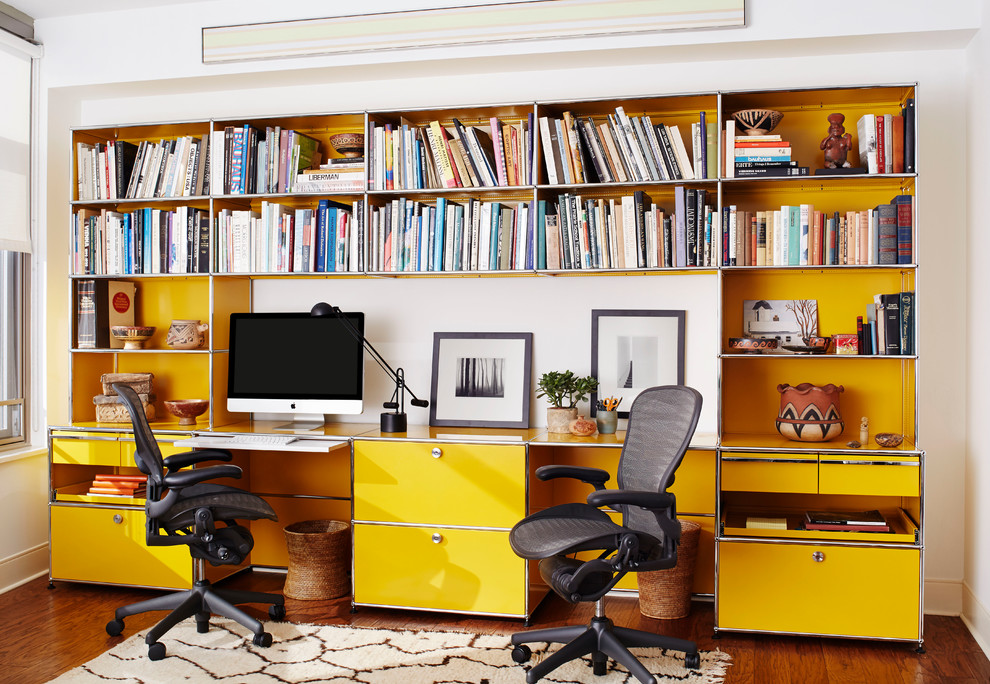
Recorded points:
319,559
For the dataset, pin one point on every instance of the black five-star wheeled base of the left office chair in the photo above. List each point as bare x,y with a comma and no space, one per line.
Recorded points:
200,601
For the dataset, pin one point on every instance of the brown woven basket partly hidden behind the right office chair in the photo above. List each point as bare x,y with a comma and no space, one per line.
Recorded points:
666,594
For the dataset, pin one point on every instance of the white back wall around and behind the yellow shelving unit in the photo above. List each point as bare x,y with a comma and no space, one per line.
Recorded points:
786,45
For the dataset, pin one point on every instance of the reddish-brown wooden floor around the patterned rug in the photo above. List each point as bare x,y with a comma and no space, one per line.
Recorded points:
48,631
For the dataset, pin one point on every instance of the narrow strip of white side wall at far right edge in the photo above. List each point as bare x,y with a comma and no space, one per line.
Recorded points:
974,488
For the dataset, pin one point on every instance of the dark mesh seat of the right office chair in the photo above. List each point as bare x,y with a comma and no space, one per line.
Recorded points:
568,528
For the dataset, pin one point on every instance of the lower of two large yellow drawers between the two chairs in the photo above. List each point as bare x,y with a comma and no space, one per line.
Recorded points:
459,570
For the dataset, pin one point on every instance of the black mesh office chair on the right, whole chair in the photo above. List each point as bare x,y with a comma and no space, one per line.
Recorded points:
662,421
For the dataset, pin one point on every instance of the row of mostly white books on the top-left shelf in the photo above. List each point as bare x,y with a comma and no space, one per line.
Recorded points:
118,169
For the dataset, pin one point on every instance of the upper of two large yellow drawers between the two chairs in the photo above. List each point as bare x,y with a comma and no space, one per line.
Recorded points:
440,484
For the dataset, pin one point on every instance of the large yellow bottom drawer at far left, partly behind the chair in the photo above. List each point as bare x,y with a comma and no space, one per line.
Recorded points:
107,545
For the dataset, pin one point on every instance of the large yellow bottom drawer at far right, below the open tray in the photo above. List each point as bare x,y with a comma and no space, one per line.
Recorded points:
844,591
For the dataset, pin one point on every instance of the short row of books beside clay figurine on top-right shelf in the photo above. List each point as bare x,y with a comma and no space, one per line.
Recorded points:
886,141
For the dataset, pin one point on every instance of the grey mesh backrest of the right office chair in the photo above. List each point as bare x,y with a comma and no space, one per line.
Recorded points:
662,421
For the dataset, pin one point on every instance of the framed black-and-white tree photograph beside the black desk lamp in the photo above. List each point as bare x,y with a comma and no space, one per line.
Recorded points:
481,379
